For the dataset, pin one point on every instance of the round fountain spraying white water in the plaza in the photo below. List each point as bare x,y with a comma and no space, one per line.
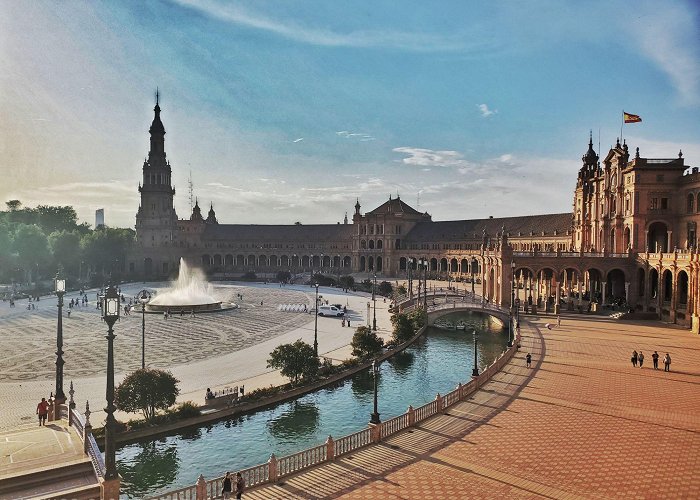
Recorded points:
190,293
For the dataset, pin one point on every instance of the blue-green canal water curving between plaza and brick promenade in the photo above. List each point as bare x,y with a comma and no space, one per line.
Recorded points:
436,363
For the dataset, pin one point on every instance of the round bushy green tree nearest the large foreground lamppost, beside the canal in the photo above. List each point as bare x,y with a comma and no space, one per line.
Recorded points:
147,391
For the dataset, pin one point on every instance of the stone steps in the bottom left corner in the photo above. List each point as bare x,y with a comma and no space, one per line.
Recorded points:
73,480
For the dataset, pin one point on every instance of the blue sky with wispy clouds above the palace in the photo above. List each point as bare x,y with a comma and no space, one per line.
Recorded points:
287,111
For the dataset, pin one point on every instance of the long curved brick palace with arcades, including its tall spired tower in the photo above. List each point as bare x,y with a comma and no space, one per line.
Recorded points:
630,238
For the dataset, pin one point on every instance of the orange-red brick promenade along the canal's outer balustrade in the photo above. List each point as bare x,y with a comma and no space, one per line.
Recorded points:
582,423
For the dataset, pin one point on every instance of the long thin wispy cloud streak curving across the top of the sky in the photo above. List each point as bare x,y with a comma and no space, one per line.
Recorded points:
386,39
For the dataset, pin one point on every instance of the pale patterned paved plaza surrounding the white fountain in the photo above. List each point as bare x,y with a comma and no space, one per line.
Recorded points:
209,350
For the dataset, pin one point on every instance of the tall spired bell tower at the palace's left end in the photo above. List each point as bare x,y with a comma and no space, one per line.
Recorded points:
156,220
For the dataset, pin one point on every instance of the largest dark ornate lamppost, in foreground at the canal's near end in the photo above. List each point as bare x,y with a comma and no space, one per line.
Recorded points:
110,314
